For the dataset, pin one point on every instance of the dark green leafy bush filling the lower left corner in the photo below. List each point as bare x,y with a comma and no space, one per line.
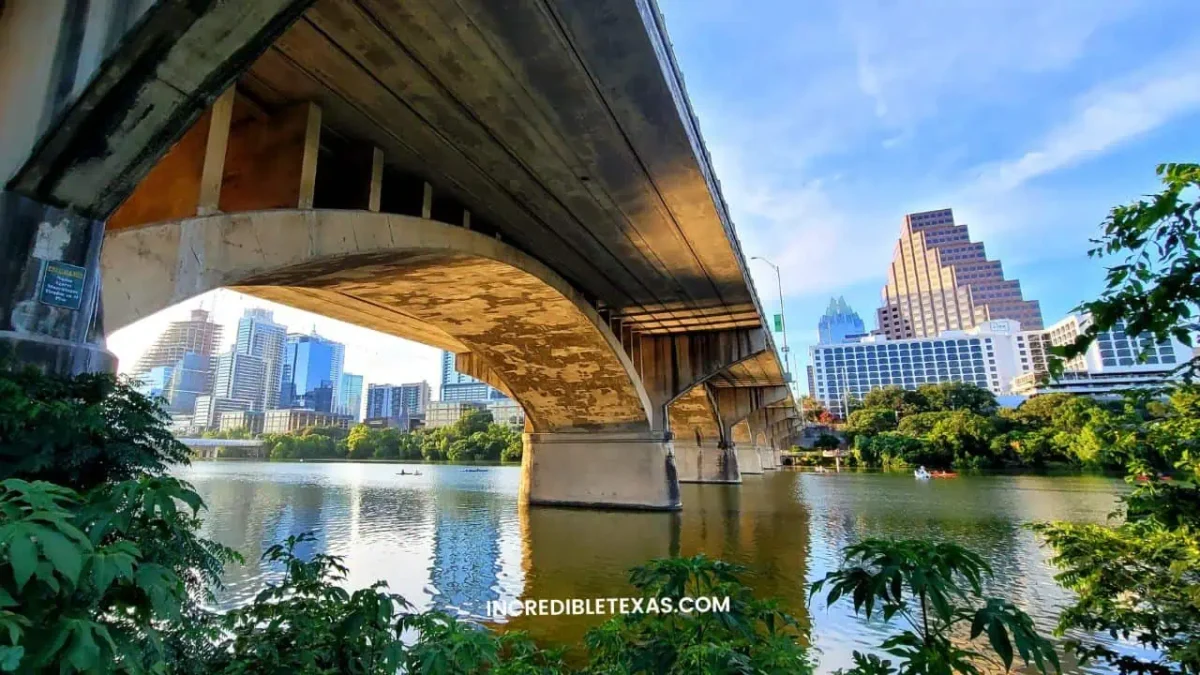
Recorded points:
101,569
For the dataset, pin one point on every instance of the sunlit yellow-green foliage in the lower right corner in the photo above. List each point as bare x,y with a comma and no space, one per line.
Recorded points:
1141,580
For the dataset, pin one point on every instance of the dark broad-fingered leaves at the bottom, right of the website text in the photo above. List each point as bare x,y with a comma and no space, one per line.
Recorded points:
935,589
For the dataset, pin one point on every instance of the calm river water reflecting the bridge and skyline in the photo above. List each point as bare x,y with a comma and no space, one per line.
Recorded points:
455,539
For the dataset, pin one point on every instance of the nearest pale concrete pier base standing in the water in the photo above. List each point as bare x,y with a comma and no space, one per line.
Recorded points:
599,470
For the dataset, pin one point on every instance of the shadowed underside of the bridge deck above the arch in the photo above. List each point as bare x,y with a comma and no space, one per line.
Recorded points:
566,123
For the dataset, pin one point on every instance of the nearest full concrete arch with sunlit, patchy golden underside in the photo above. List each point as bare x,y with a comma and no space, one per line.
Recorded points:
407,277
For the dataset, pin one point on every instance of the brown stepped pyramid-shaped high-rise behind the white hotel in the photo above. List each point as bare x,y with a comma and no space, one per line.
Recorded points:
940,280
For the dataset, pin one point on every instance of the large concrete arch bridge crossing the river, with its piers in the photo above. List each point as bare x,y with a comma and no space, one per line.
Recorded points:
526,187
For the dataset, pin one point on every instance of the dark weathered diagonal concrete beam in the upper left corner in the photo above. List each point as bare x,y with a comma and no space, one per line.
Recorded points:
167,71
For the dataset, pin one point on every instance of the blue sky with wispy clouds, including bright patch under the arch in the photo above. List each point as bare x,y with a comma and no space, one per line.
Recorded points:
830,121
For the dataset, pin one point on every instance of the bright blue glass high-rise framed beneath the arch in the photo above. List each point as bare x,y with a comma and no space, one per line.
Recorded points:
313,373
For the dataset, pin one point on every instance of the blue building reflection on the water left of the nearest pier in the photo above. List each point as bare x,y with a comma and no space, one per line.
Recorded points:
466,553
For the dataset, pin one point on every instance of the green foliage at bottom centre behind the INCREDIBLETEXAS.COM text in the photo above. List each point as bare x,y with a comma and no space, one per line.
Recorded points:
753,636
